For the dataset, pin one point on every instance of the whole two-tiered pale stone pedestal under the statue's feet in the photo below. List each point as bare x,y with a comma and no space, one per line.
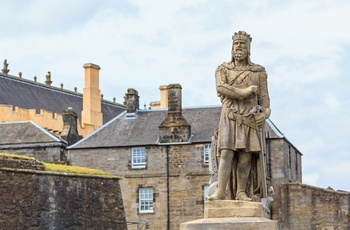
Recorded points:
232,214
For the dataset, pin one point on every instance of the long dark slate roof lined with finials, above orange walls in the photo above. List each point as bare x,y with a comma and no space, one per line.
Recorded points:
28,94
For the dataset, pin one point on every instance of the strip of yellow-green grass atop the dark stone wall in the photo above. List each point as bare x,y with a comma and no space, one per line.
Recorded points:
50,167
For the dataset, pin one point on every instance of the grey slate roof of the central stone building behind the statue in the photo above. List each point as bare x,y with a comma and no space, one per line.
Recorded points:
143,129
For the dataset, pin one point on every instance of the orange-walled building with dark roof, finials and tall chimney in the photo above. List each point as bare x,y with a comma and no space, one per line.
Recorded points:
22,100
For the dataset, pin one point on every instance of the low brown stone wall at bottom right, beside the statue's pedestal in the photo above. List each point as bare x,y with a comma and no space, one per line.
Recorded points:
306,207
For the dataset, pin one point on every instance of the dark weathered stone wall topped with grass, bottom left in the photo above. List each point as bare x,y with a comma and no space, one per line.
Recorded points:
32,199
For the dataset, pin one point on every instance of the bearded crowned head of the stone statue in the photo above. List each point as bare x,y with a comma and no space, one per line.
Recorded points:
241,36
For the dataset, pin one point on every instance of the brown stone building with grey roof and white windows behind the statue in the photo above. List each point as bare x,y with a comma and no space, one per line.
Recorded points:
163,155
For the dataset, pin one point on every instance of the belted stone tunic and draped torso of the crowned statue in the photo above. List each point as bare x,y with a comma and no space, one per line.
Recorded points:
237,128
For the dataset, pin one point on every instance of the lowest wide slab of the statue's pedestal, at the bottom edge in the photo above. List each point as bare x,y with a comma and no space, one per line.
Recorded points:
244,223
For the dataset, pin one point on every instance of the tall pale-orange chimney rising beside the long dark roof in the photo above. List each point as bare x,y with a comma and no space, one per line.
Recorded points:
91,113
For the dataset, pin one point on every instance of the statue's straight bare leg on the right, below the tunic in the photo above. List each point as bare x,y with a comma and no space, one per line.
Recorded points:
243,171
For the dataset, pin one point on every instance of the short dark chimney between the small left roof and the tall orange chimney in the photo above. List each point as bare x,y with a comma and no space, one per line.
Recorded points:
70,126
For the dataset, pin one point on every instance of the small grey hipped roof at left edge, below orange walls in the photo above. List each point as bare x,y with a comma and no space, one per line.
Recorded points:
25,132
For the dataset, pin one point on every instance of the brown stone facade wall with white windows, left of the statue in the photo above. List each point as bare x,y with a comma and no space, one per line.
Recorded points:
187,177
